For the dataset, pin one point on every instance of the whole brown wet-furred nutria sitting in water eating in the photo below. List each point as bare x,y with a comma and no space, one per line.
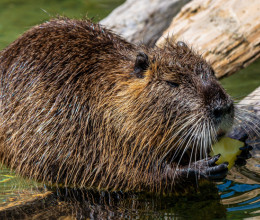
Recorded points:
82,107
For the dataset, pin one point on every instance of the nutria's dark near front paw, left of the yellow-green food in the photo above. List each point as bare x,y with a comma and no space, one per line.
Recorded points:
206,169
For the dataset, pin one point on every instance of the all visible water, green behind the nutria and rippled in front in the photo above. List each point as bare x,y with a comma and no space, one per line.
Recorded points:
238,197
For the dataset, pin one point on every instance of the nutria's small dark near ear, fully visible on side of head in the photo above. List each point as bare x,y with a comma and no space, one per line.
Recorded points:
141,64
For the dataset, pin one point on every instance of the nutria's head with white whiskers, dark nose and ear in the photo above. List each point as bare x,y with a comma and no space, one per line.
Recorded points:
172,105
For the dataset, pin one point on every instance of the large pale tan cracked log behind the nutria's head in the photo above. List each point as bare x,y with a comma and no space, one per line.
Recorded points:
227,33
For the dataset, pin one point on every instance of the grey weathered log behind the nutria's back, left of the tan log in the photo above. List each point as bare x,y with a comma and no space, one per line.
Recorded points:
143,21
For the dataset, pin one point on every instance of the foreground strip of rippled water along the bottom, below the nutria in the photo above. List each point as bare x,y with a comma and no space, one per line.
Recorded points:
237,197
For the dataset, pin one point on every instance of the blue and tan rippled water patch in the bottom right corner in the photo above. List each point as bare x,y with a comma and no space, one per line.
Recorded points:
240,193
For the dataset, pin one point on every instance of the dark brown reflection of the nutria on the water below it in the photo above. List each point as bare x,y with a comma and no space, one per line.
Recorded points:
78,204
